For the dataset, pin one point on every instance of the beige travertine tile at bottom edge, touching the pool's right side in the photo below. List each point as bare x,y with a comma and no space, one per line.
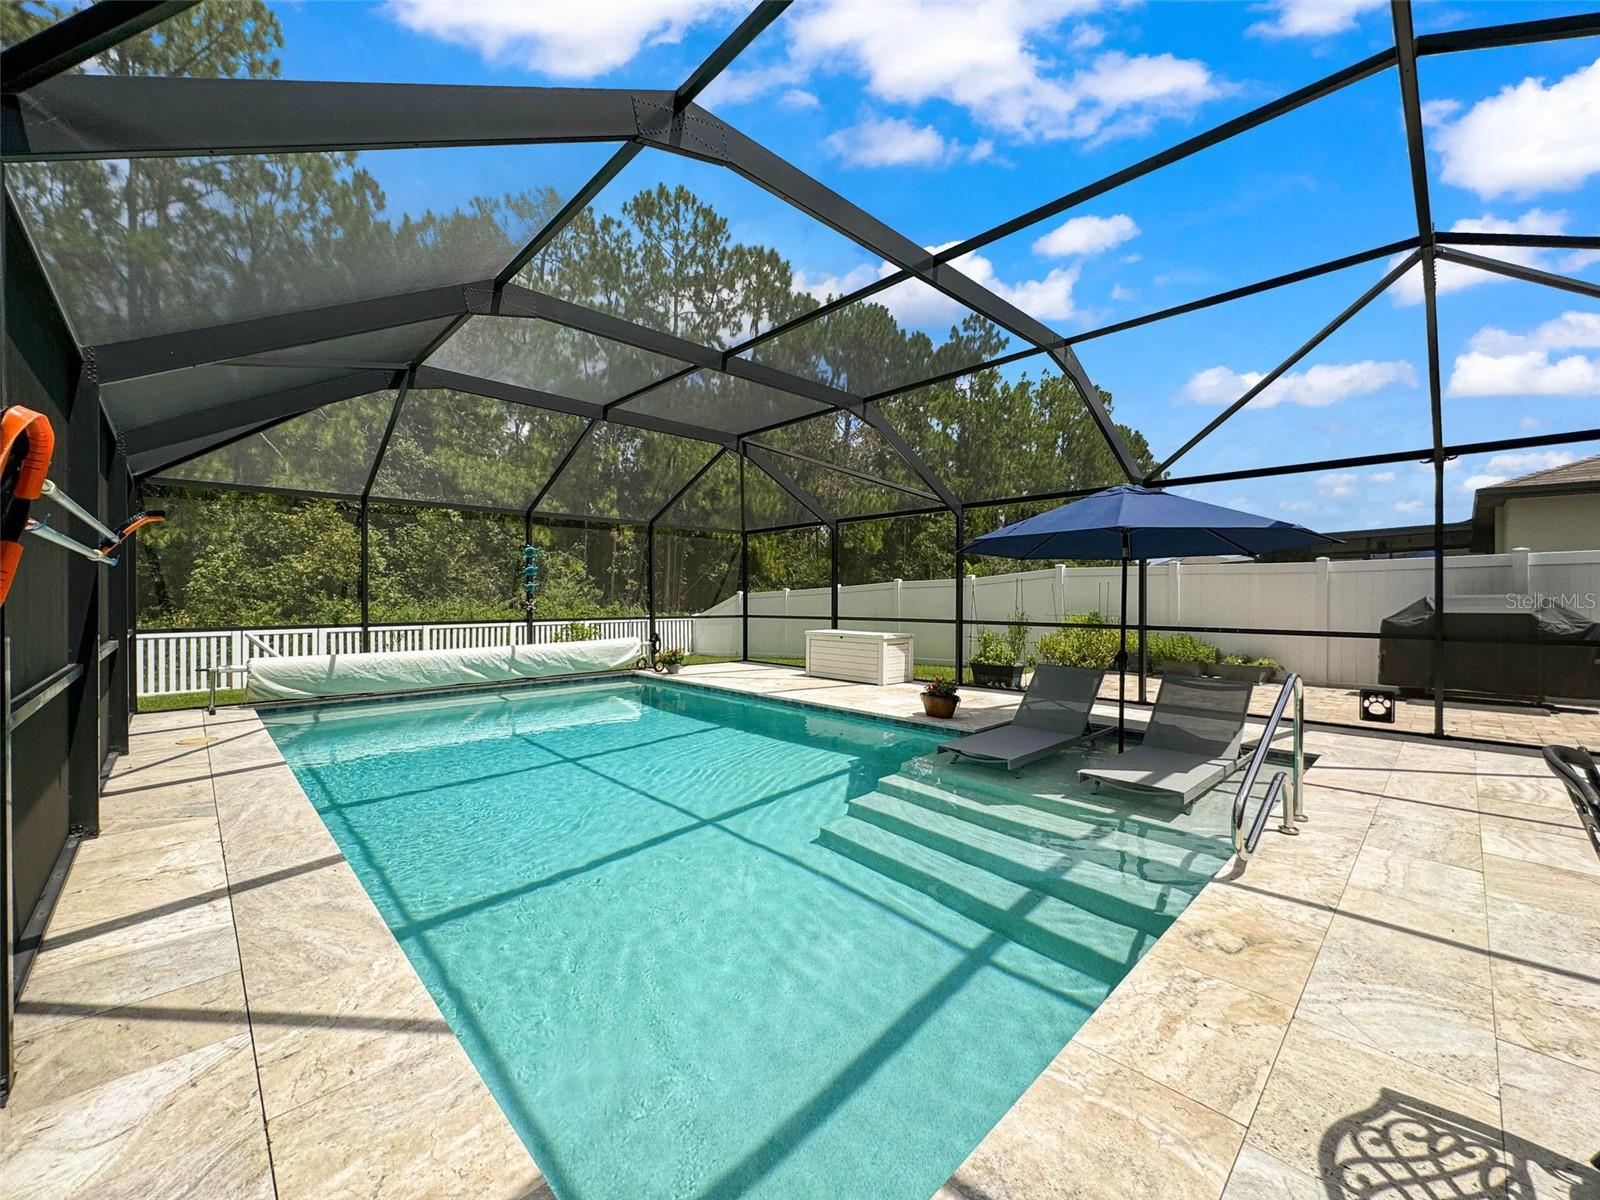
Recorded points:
1095,1130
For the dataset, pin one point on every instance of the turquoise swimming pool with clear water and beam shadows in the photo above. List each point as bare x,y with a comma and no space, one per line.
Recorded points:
705,946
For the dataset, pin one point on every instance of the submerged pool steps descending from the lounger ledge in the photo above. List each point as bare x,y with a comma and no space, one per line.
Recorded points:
1078,887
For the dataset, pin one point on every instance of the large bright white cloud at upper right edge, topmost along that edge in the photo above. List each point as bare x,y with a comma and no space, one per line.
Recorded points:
1530,138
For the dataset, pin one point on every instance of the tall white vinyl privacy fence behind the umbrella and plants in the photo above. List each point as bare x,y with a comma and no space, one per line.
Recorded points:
1342,596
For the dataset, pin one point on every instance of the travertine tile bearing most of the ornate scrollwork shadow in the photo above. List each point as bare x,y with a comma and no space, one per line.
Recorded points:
1366,1122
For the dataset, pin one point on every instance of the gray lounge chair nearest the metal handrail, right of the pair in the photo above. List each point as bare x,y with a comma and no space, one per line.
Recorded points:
1191,743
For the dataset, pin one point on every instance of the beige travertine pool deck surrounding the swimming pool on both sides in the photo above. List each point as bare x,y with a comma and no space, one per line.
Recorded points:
1404,1001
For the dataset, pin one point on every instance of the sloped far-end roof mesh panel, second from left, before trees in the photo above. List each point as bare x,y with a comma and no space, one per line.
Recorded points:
457,447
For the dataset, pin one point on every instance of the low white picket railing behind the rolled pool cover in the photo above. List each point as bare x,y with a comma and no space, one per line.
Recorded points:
178,662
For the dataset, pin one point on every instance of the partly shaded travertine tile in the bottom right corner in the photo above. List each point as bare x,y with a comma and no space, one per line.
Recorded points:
1553,1122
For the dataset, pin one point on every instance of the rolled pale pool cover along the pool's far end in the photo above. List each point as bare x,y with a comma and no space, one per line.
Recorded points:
316,676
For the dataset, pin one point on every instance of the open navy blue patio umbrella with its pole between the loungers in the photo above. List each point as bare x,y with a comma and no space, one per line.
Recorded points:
1134,522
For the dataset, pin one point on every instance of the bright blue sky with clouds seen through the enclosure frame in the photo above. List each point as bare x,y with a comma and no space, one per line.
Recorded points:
948,119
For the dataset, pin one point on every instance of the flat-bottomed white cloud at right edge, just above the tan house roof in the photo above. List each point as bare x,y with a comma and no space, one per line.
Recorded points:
1522,364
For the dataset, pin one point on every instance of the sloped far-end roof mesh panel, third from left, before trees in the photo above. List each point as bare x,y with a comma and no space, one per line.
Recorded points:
625,473
